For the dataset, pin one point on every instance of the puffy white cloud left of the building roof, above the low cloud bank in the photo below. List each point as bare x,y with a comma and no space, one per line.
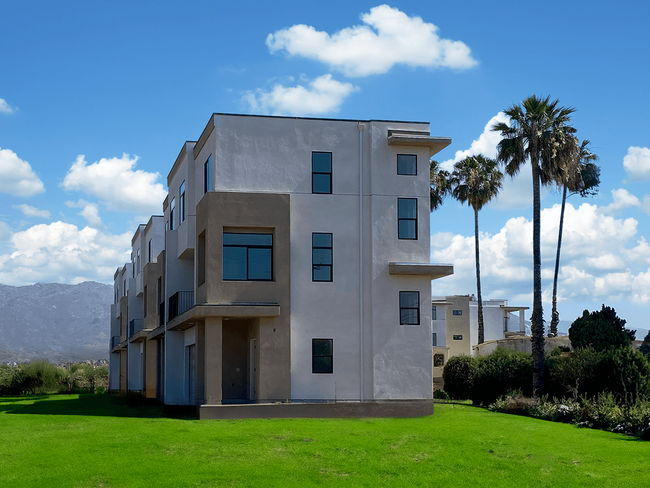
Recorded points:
115,182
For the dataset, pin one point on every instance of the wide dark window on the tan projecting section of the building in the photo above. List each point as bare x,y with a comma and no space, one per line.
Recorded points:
247,257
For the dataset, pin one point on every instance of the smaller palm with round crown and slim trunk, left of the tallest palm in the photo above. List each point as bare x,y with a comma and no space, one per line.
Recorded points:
476,180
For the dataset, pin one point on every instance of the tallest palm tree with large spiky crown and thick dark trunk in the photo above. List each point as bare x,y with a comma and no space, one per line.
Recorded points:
539,132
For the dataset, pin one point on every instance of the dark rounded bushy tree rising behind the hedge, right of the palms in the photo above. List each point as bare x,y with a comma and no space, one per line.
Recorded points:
600,330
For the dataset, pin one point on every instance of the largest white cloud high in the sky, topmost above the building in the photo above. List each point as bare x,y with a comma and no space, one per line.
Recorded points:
389,37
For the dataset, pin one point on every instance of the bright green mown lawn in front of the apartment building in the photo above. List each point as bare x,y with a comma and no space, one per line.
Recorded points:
99,441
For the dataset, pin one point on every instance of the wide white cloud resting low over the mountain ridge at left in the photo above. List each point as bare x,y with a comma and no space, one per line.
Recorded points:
63,253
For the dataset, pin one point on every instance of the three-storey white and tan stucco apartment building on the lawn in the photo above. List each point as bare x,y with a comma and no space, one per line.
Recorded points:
291,265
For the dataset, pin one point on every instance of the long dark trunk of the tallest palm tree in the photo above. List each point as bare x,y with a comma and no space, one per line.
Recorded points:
537,317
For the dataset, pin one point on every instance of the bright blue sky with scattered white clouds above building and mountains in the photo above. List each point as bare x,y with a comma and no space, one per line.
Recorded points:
97,98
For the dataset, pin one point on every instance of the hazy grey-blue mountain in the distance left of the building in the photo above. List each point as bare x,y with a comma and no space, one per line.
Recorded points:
54,321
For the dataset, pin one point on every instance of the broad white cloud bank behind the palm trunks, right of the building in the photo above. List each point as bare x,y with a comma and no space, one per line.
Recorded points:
602,259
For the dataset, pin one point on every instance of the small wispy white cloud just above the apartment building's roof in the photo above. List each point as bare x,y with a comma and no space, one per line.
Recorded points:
323,95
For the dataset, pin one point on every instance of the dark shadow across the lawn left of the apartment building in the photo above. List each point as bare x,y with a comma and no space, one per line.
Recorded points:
101,405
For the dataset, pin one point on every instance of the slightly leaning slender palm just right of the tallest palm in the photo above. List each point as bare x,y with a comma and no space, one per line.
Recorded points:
583,179
